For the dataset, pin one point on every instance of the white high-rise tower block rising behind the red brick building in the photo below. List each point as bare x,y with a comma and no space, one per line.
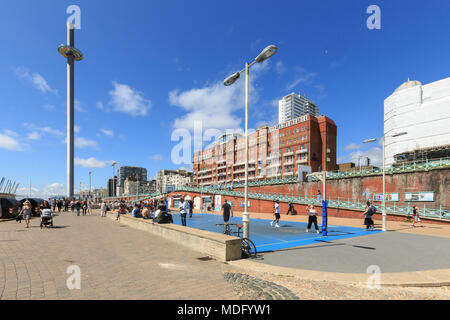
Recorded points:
295,105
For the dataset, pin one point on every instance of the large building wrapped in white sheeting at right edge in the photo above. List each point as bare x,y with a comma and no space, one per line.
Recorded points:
423,111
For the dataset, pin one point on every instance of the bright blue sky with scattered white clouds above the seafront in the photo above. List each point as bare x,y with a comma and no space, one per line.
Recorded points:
152,67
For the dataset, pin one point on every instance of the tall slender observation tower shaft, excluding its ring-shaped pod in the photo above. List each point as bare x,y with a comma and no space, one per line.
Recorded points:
70,111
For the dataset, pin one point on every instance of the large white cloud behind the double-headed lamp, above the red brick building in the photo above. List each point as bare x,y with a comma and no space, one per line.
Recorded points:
215,104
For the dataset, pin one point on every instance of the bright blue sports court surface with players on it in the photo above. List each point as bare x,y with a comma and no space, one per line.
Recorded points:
266,238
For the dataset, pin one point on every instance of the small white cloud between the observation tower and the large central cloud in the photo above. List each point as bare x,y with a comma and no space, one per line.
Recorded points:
127,100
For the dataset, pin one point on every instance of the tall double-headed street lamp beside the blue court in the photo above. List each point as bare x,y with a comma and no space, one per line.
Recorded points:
268,52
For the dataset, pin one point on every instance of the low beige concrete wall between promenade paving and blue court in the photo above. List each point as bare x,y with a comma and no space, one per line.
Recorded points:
219,246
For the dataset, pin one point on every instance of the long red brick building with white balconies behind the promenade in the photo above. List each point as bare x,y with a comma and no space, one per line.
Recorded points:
274,152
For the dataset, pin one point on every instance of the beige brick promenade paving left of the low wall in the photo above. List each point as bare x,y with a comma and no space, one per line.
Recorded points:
116,262
